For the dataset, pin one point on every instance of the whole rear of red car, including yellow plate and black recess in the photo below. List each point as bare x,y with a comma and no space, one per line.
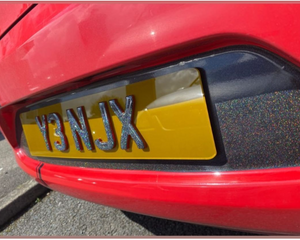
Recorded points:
181,111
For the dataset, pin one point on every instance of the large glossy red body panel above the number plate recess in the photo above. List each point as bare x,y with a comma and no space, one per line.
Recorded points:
56,44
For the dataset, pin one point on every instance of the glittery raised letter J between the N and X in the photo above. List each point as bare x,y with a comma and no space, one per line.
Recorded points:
110,144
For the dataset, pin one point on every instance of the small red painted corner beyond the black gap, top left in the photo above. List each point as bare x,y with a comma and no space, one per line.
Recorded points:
10,12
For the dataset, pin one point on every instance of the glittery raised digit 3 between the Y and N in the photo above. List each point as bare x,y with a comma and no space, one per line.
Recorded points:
63,145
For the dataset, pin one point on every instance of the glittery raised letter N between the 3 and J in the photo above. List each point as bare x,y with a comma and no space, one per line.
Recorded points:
81,129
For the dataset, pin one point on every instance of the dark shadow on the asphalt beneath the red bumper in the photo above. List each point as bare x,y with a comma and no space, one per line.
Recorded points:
163,227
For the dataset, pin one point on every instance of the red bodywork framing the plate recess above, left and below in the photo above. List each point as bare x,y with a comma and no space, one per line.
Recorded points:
57,45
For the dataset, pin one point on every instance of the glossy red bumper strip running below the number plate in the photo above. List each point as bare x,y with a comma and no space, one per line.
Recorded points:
262,200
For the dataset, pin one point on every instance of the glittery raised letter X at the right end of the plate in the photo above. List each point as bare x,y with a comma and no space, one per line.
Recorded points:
128,128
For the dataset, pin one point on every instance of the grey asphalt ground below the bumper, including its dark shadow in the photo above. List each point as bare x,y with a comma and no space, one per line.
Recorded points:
59,215
